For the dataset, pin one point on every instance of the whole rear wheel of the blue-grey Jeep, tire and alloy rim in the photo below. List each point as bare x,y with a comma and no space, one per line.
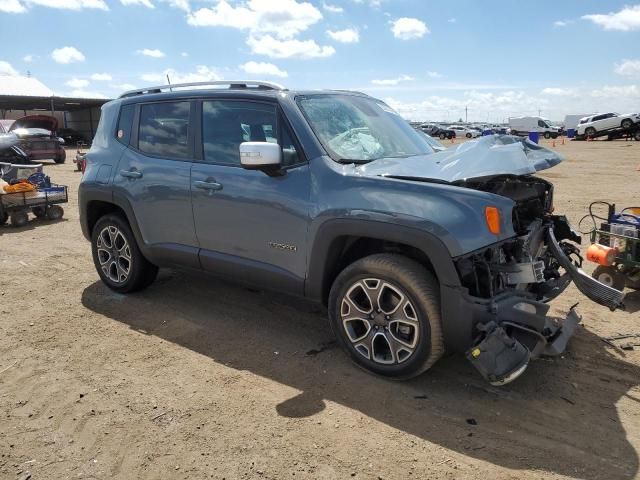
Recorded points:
117,258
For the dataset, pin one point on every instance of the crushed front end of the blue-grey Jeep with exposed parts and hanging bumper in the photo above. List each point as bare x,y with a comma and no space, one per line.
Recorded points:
509,284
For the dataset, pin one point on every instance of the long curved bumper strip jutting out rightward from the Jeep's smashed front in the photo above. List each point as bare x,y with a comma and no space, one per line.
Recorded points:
590,287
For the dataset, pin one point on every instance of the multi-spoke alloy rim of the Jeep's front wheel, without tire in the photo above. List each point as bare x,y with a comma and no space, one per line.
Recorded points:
380,321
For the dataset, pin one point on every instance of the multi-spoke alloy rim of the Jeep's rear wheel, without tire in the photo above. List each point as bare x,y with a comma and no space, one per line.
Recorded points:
114,254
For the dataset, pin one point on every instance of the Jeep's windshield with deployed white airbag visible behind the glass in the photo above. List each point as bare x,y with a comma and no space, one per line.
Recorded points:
360,129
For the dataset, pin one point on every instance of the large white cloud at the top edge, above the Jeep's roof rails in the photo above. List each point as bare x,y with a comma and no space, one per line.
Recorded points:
282,18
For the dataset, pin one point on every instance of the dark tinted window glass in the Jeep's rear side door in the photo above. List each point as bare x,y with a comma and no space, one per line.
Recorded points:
164,129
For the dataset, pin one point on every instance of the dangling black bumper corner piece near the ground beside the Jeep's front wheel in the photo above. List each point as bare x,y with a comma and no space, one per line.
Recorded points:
499,358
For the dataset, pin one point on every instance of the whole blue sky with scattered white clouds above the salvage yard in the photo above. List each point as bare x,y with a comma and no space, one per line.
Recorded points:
427,59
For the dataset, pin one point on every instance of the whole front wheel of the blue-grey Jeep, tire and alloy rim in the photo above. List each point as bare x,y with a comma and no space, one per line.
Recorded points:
385,312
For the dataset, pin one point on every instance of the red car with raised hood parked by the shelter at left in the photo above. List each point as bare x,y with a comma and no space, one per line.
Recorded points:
38,137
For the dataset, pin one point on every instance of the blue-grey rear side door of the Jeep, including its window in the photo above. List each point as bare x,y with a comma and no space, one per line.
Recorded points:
153,176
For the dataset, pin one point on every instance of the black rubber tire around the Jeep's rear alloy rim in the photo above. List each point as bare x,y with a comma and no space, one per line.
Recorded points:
141,273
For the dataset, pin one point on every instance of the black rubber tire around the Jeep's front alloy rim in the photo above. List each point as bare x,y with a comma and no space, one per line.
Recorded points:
418,286
